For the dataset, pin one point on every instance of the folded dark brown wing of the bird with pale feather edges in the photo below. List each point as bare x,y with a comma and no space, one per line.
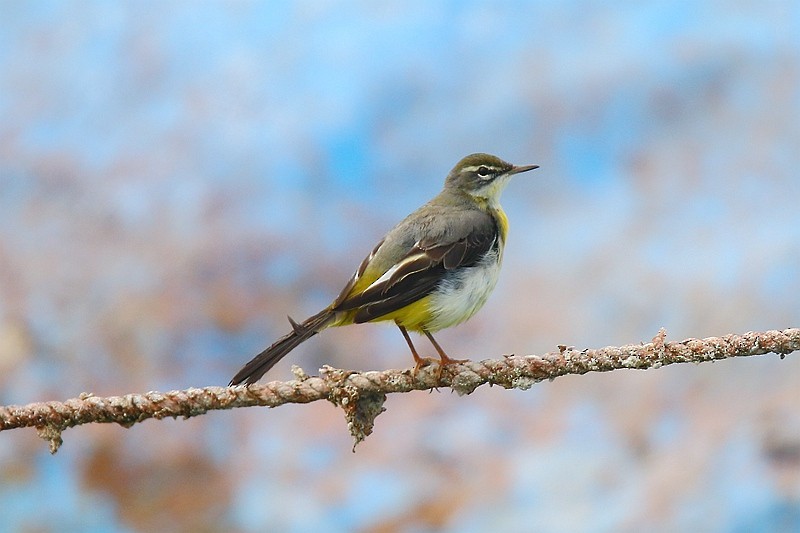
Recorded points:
422,268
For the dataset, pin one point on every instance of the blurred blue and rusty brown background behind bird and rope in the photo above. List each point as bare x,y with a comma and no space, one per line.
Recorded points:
176,178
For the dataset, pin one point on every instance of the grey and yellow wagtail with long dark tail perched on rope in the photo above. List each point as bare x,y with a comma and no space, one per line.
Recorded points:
434,270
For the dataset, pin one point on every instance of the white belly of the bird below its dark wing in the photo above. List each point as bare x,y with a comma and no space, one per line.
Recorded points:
458,298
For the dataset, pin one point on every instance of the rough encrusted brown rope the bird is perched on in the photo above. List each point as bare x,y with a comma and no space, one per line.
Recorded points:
361,394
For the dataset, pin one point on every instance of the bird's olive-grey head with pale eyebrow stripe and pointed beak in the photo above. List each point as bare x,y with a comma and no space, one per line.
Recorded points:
483,176
